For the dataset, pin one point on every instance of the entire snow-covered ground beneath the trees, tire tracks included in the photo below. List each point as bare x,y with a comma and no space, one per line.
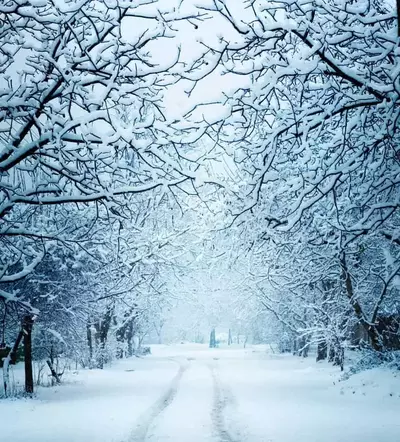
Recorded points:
189,393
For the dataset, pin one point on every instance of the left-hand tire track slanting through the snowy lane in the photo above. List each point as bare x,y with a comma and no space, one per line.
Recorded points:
146,421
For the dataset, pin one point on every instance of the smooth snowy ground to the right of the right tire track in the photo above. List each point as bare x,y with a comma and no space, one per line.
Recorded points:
291,399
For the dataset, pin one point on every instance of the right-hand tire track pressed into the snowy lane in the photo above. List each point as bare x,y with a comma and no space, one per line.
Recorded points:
222,397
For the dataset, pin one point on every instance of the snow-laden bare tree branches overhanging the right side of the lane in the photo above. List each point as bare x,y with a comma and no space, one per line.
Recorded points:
314,130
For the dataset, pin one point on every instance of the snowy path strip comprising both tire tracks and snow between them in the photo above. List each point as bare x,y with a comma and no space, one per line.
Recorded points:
194,405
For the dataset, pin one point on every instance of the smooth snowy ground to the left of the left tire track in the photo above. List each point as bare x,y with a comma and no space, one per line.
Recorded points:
93,405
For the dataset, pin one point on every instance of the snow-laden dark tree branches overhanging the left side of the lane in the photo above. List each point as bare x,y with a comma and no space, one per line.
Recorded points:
80,117
